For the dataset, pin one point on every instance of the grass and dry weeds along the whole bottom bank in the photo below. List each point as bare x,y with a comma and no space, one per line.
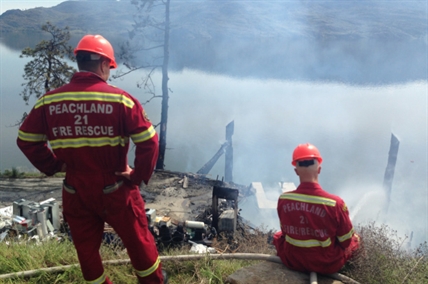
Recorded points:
383,259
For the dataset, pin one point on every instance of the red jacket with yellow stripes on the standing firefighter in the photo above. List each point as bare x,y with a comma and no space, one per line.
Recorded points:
88,124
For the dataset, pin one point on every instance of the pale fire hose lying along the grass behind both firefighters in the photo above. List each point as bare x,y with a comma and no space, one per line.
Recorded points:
242,256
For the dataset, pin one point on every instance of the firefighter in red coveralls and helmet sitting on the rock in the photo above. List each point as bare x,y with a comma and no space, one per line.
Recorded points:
316,232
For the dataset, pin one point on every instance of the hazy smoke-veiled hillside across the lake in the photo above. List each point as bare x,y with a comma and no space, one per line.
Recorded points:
274,39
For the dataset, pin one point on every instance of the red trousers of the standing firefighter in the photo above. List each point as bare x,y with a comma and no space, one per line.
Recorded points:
89,207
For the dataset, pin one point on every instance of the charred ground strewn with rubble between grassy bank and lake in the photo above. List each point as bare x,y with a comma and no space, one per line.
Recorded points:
180,207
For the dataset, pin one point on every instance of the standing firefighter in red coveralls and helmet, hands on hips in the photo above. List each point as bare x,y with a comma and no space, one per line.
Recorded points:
88,124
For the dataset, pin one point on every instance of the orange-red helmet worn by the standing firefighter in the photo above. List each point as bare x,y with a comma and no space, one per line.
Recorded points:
99,45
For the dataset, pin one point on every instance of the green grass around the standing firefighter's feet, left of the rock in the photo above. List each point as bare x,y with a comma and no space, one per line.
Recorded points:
25,256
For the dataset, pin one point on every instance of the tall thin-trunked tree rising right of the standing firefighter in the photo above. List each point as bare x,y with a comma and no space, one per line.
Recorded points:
150,35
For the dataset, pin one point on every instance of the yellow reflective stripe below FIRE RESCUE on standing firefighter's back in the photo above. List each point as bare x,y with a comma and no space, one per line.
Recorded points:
88,142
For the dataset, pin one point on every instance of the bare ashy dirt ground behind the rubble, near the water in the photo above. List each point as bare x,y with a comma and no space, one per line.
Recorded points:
182,196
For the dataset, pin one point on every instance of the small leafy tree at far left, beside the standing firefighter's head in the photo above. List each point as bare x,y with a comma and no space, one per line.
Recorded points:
48,70
